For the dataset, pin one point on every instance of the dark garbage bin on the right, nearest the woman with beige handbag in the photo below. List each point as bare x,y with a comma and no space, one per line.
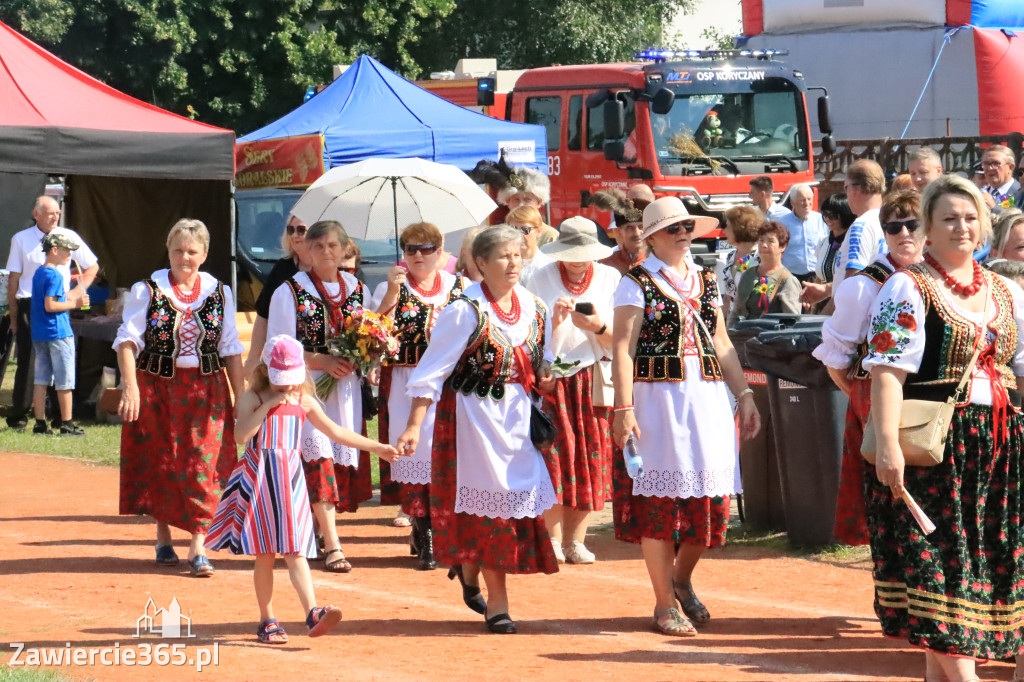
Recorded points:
808,415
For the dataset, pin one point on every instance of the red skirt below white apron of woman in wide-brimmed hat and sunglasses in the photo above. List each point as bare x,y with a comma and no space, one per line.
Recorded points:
686,522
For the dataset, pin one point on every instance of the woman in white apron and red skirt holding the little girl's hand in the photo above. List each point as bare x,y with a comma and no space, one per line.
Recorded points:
490,487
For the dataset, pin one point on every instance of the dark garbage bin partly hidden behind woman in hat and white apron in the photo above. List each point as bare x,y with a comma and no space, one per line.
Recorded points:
762,499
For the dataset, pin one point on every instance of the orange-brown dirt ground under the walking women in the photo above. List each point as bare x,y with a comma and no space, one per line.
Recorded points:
76,573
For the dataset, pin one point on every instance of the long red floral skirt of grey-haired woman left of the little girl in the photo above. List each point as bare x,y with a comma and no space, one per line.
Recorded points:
178,456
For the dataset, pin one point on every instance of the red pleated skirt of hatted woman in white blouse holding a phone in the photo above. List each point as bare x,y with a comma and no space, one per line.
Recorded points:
580,457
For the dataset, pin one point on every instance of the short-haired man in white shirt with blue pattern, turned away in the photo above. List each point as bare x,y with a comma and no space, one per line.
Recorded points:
865,185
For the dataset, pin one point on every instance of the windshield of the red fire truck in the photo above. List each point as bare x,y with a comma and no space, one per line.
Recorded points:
734,127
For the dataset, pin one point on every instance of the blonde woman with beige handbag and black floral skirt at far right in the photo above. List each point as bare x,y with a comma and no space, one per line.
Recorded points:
959,591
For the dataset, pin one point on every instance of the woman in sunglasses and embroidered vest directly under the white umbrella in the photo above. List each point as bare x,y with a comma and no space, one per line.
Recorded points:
414,296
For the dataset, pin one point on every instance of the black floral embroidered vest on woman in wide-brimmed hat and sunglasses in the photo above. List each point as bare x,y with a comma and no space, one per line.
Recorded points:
660,349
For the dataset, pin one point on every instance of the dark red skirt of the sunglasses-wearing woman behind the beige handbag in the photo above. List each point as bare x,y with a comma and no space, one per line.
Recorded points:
851,526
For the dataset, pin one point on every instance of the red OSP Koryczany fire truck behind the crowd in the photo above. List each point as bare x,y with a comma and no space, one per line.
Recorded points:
697,124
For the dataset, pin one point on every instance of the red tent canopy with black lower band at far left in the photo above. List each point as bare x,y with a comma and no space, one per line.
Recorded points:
55,118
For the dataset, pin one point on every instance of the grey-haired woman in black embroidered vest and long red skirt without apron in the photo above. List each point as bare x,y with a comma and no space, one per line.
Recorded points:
178,445
